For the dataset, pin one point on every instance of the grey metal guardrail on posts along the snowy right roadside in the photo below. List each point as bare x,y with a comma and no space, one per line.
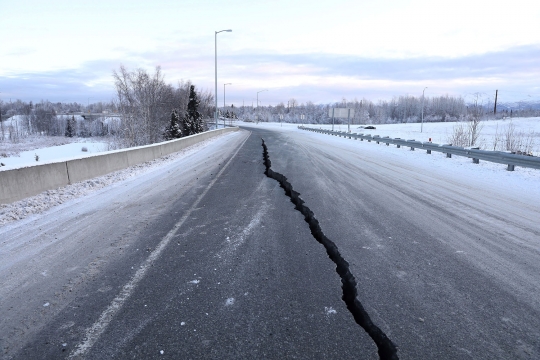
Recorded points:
500,157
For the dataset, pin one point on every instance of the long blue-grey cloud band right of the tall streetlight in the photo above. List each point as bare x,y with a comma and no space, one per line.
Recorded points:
519,60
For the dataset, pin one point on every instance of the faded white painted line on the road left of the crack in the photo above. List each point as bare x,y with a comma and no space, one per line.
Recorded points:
93,333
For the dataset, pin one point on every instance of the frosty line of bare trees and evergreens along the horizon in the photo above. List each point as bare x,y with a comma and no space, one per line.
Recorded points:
147,110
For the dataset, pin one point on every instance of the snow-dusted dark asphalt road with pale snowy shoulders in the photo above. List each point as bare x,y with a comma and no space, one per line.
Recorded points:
210,258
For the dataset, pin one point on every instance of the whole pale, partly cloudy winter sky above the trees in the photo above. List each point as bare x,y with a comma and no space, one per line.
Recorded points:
319,51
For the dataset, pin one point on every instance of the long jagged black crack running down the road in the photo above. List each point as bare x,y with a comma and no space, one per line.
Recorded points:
386,349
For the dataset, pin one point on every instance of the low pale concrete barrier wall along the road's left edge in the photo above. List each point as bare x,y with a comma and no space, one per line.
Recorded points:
18,184
